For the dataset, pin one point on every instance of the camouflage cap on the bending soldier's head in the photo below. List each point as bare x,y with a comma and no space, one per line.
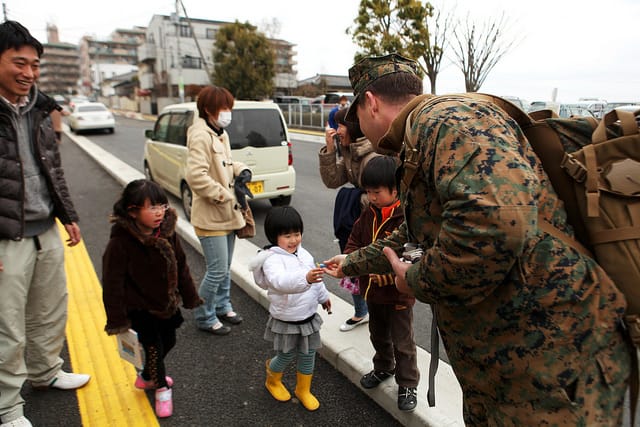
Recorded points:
370,69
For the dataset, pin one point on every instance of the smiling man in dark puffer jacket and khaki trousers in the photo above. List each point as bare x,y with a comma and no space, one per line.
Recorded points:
33,190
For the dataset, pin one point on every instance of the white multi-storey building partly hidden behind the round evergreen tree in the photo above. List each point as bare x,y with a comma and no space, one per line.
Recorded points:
177,55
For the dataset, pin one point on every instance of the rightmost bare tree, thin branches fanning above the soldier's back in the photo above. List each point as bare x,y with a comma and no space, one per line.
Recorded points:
479,48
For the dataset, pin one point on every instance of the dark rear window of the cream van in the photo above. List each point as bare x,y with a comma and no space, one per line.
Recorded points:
256,128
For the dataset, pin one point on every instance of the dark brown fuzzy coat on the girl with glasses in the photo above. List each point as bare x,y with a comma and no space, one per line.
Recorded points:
145,272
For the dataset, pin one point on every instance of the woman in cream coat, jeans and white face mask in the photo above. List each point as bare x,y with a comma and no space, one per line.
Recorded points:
216,210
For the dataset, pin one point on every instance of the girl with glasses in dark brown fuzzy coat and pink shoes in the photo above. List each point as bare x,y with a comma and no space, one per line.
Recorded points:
145,278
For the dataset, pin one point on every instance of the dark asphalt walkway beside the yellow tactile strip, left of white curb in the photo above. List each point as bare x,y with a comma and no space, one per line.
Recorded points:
218,380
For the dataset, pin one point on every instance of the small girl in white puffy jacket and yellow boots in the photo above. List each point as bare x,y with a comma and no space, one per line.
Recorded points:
295,288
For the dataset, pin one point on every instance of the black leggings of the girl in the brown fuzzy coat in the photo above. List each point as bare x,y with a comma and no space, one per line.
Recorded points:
158,337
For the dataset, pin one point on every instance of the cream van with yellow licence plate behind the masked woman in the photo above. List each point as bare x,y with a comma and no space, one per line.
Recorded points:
259,138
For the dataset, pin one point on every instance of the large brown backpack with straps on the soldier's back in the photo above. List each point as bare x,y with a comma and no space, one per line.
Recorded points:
594,167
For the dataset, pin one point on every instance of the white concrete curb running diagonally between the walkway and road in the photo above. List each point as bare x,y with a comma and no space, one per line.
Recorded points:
350,353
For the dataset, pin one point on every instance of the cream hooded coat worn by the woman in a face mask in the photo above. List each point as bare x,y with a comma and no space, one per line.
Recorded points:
210,174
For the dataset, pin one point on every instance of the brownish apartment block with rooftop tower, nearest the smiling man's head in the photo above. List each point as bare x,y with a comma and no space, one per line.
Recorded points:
59,65
